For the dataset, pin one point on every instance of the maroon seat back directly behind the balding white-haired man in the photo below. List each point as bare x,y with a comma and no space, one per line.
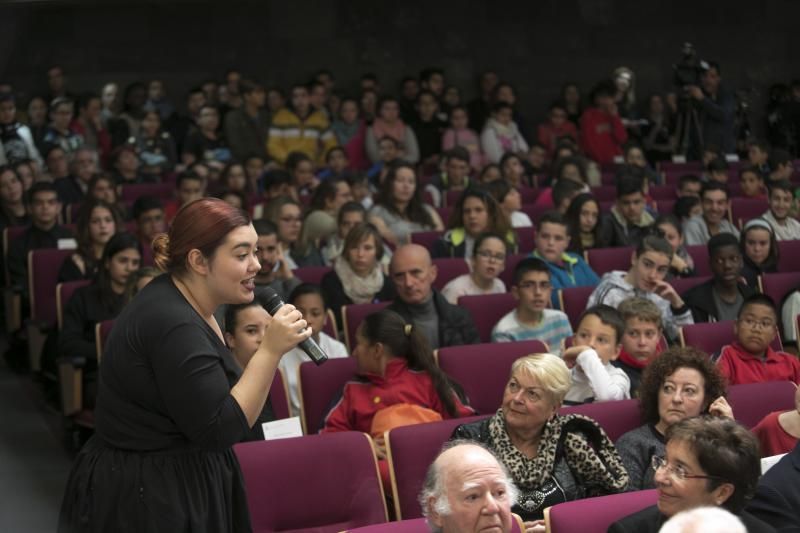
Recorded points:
410,451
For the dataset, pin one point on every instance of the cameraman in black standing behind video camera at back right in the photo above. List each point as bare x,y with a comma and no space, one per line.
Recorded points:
716,108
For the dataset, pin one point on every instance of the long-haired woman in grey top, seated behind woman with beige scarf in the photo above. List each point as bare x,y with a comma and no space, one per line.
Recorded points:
399,210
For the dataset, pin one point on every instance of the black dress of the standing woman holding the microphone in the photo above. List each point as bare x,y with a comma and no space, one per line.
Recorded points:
161,457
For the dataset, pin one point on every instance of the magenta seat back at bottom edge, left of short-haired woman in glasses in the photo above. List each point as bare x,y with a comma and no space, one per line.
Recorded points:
595,515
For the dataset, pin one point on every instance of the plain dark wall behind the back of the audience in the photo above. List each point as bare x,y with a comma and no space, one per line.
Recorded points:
537,44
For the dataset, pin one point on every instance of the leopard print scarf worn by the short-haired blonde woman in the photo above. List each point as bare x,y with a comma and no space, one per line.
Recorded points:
590,454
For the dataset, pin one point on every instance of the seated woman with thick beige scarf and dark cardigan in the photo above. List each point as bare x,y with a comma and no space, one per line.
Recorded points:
357,276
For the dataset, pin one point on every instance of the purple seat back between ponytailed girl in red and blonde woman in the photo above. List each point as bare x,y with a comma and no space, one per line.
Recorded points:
483,369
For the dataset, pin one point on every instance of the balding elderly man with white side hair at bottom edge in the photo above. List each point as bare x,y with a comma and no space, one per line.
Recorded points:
467,490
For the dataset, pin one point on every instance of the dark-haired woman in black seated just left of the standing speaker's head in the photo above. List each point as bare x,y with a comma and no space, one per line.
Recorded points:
102,300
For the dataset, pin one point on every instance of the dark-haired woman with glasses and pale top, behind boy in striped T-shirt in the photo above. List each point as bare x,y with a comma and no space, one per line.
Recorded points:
487,262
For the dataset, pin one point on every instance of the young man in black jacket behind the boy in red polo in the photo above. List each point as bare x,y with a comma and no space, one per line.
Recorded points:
721,297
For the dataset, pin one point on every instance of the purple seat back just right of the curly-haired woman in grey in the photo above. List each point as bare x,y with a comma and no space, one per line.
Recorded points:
753,401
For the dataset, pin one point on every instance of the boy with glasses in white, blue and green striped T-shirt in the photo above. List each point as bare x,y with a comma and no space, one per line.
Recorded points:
532,319
